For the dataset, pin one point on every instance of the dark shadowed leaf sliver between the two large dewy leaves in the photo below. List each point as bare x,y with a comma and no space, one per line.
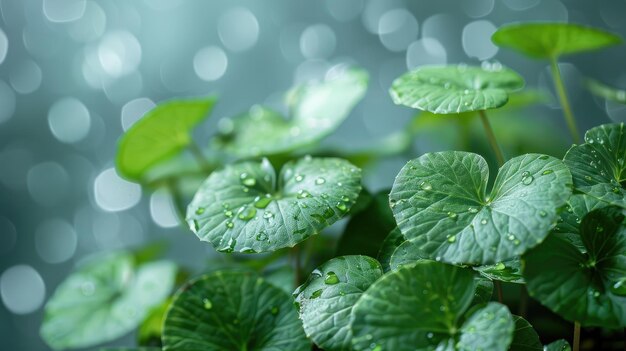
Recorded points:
366,231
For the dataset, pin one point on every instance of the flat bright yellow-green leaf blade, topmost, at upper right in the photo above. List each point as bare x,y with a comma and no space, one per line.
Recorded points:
551,40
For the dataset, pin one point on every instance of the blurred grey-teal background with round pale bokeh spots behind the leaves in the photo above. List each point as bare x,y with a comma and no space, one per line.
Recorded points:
74,74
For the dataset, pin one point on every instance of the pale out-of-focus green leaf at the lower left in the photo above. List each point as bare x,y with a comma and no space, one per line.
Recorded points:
107,297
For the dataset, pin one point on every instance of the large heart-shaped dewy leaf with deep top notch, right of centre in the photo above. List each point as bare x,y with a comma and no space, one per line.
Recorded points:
440,202
